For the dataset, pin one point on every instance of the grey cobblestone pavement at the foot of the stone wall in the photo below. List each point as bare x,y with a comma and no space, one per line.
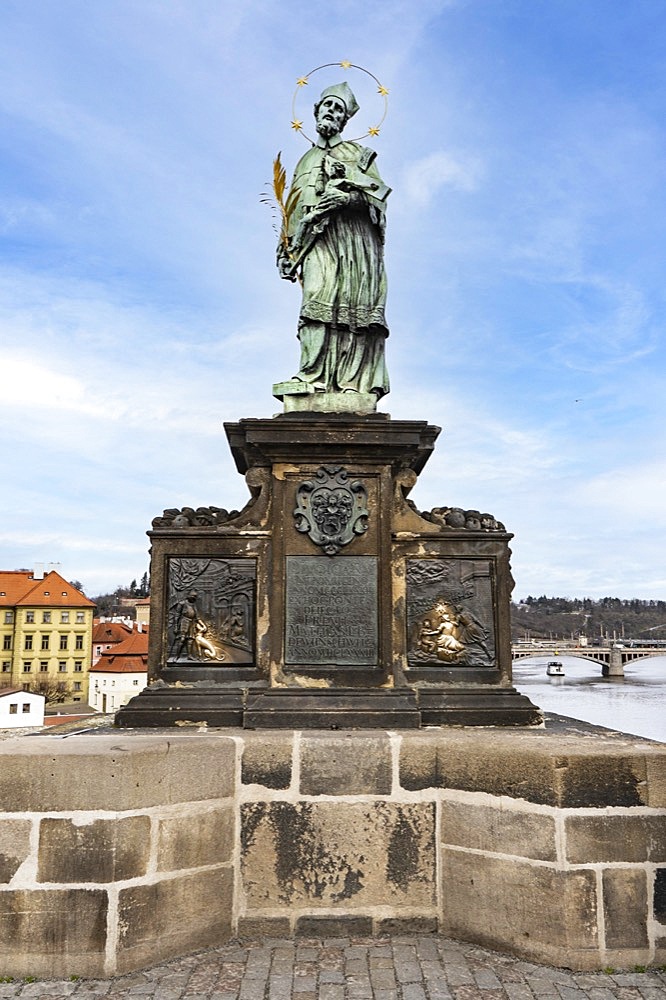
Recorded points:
396,968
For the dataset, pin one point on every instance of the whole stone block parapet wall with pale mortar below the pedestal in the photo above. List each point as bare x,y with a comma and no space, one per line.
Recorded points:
124,850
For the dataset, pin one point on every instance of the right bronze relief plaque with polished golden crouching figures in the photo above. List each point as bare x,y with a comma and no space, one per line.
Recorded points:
450,620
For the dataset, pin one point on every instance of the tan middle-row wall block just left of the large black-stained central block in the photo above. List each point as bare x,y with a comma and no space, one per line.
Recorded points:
200,838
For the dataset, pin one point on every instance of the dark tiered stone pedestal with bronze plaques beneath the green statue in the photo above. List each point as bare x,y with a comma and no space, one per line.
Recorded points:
329,601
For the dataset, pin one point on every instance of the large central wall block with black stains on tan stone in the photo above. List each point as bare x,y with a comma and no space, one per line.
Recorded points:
323,854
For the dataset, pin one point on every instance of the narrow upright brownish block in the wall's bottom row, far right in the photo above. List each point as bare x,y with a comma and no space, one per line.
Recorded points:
625,908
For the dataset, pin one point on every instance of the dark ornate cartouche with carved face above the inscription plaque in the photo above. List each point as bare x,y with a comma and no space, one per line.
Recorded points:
330,509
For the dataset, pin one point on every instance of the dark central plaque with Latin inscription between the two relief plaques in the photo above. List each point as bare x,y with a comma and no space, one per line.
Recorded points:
331,611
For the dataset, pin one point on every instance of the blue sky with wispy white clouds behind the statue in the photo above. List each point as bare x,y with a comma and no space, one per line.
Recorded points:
140,308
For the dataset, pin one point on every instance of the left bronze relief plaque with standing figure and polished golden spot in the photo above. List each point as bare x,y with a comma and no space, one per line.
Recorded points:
211,611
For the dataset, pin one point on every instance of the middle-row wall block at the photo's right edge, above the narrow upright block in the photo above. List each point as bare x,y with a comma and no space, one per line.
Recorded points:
590,839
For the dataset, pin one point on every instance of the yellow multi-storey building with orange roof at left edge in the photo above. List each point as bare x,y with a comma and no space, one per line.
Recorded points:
45,634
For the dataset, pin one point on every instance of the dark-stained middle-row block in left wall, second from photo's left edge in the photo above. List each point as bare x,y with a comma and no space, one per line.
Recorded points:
106,850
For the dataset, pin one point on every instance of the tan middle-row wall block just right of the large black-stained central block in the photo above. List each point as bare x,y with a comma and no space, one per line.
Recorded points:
498,829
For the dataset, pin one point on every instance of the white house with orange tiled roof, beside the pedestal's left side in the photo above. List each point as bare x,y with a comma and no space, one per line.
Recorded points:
119,674
